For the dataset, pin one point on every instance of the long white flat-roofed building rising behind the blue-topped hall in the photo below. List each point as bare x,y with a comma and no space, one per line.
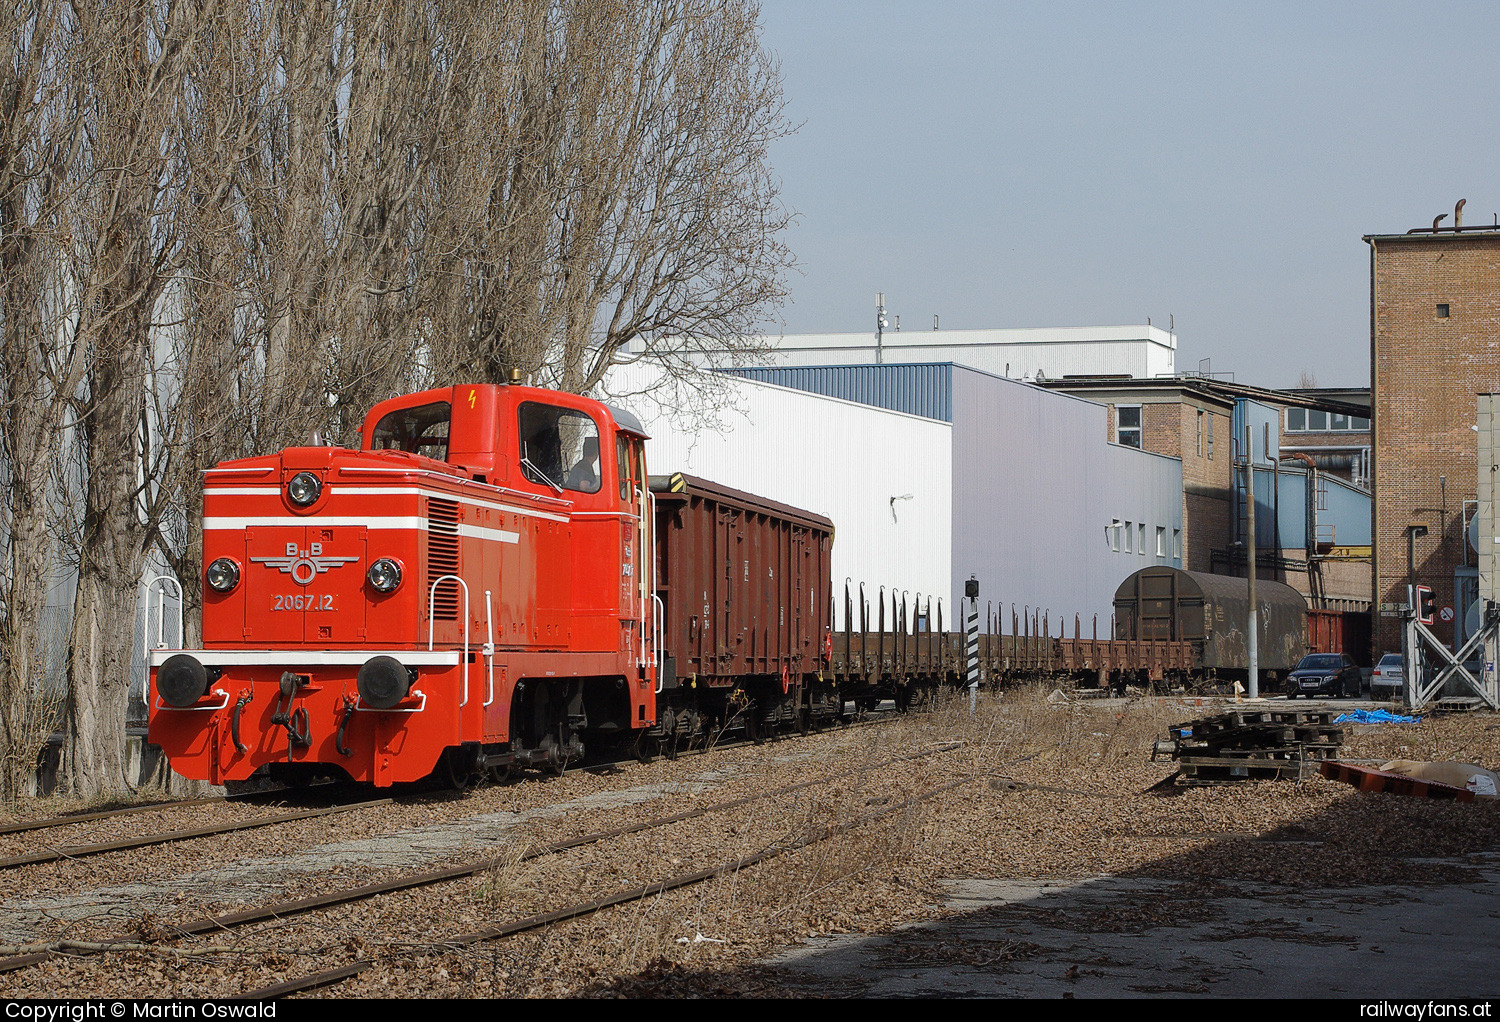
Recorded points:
1142,352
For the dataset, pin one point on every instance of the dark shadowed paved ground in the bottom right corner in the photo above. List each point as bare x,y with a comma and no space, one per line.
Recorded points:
1144,937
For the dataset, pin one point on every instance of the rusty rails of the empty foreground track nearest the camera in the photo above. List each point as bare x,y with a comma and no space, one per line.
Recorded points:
223,924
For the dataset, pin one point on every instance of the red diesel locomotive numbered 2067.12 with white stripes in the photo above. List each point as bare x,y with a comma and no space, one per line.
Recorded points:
470,588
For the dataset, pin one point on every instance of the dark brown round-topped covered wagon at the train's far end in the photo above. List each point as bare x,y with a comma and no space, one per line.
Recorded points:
1213,613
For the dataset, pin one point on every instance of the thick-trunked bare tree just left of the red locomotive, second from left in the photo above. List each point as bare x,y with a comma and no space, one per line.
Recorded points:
122,248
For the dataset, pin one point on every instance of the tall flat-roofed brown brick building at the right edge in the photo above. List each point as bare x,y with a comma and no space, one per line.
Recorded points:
1435,346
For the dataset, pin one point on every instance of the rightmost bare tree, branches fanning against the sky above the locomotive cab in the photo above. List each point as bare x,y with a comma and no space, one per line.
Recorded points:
671,229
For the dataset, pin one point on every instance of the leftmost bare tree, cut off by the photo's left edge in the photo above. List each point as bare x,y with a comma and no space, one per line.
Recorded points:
41,110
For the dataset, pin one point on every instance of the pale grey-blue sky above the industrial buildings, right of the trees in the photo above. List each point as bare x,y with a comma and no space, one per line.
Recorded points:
1079,164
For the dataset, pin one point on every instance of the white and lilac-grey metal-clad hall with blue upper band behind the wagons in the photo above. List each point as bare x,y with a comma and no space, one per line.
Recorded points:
937,473
